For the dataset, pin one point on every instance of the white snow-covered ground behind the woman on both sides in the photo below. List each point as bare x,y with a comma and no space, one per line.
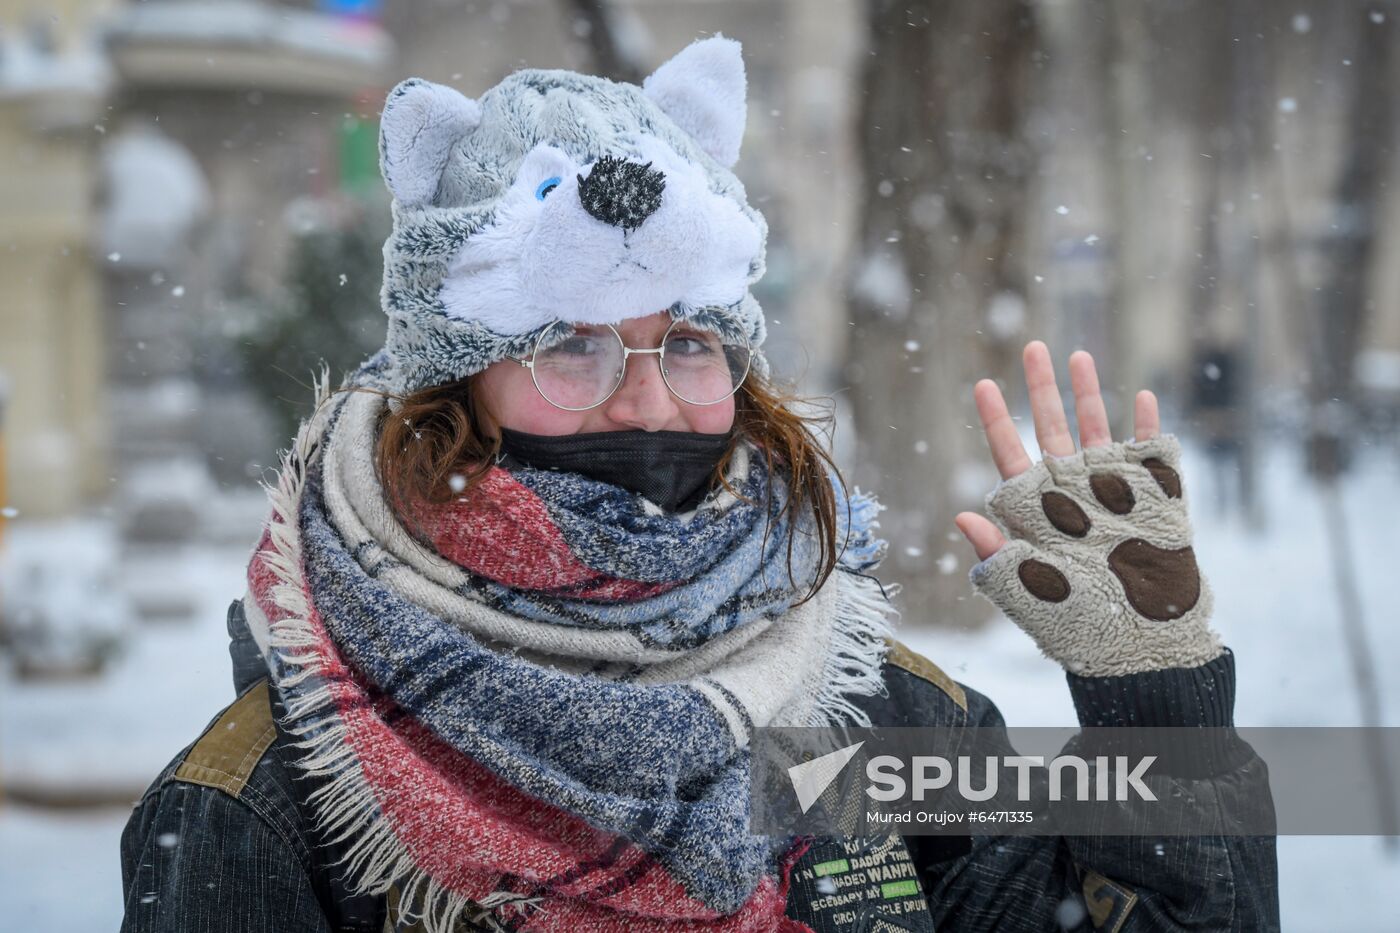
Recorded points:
1276,607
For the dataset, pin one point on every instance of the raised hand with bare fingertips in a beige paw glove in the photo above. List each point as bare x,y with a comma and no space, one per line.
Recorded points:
1090,553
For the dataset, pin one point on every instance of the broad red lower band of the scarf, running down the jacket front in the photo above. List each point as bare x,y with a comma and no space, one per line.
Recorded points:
470,830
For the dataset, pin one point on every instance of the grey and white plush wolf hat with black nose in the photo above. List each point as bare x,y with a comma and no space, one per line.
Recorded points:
565,197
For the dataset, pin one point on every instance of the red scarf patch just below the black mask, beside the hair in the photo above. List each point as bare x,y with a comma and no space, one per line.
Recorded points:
502,532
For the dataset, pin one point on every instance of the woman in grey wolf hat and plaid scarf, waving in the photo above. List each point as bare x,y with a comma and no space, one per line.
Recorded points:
526,593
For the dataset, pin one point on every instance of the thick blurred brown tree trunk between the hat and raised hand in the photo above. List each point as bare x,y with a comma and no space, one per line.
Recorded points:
946,176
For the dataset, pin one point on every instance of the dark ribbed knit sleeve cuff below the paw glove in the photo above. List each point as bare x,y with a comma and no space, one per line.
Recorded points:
1167,703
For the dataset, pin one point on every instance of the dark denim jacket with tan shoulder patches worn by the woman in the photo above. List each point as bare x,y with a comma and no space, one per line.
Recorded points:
223,843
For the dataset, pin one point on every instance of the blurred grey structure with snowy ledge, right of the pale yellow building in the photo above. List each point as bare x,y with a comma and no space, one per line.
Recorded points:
229,114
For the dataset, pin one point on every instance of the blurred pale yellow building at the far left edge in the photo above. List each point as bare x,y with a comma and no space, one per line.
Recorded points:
54,85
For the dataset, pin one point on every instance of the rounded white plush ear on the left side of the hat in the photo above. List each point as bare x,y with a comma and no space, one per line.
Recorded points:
421,124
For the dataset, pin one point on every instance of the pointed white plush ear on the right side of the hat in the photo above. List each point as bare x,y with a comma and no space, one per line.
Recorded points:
705,92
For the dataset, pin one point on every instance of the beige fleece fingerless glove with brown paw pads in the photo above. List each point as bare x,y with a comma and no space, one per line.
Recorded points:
1098,565
